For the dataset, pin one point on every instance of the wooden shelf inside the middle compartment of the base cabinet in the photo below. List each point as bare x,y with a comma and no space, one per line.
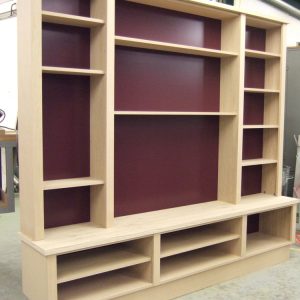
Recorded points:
191,239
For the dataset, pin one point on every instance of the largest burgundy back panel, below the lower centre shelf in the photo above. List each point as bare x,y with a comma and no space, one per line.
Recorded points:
164,161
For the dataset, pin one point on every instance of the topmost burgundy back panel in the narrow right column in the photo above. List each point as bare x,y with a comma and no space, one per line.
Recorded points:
255,38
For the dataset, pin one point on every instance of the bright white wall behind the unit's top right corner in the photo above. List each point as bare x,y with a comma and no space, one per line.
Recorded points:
293,28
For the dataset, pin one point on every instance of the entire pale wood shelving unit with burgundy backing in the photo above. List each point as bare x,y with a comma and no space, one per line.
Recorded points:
150,147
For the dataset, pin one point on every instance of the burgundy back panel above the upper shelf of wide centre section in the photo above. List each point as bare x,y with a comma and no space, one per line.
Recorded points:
152,23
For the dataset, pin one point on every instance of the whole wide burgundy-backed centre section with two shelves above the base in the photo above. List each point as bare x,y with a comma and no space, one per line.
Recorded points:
171,94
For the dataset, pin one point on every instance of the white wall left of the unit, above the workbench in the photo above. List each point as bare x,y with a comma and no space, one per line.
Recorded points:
8,68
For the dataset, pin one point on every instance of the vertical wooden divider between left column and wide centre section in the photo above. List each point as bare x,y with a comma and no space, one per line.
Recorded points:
101,114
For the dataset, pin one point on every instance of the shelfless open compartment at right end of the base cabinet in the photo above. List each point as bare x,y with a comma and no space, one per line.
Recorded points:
269,230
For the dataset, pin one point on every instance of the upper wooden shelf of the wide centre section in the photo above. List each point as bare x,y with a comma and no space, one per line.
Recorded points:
170,47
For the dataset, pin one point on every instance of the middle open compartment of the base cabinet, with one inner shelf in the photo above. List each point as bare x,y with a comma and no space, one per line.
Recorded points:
190,251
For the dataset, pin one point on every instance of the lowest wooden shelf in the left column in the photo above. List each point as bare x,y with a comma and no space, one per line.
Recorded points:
69,183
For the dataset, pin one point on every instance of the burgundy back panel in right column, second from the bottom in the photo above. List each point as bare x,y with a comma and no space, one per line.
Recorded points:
252,143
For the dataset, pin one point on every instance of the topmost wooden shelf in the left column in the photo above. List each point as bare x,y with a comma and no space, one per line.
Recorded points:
71,20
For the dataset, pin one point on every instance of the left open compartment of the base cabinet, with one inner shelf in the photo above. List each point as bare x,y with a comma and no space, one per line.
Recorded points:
105,272
